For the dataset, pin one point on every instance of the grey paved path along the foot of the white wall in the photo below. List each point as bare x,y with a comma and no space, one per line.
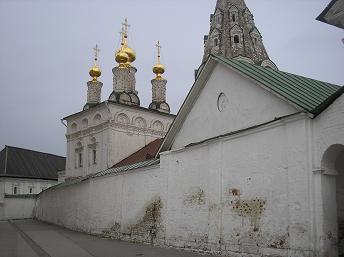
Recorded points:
31,238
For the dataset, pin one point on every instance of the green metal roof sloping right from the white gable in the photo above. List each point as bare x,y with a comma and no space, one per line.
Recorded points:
311,95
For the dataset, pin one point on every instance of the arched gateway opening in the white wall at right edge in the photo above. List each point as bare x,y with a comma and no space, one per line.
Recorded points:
333,197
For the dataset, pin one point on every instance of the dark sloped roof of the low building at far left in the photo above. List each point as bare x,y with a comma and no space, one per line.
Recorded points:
18,162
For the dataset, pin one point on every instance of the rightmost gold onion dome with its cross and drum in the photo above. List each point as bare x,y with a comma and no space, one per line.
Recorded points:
159,85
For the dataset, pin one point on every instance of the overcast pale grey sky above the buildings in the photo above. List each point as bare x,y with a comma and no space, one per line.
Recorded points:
46,52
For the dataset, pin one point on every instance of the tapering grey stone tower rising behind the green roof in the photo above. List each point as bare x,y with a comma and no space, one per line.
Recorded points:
234,35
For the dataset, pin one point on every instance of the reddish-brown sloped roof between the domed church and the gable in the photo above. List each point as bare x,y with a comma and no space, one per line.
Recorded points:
146,153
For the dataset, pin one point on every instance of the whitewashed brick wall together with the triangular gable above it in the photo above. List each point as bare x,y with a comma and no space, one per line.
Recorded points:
263,192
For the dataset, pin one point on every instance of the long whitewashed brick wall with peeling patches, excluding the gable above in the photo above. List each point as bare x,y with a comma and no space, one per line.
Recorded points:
204,190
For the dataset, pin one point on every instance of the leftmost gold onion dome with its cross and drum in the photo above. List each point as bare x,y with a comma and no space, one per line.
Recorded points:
94,86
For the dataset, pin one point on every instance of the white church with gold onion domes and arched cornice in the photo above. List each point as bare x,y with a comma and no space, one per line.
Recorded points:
105,133
